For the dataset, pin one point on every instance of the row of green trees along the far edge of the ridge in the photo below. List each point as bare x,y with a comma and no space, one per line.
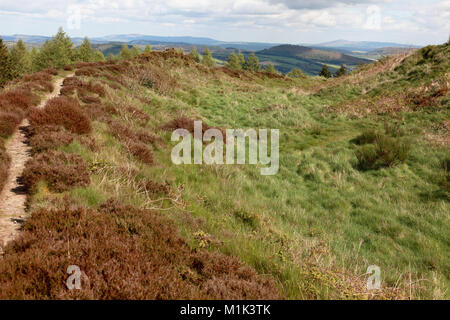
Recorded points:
60,51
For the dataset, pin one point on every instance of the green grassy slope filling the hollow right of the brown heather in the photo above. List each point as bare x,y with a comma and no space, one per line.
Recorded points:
317,225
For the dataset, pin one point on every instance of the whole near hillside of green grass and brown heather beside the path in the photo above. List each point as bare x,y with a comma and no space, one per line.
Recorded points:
363,181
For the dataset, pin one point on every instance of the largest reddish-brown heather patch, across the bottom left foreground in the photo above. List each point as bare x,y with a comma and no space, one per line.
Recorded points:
123,253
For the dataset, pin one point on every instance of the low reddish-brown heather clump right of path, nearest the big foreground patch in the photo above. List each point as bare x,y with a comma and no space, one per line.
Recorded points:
60,170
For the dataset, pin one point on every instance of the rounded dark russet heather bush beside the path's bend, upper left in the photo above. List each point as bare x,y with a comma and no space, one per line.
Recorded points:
62,111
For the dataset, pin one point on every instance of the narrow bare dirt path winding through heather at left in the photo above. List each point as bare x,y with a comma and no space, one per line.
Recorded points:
13,195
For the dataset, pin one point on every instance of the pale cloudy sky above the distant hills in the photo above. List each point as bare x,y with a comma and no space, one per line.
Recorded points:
418,22
